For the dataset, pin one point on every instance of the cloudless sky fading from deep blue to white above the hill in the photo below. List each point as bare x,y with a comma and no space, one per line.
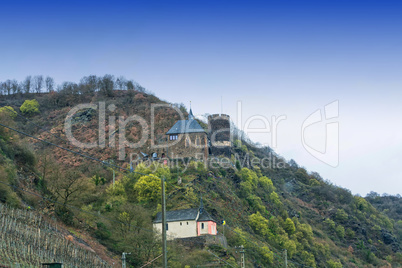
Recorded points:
276,57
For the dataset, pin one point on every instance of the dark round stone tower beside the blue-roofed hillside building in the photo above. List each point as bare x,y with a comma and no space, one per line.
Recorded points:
219,134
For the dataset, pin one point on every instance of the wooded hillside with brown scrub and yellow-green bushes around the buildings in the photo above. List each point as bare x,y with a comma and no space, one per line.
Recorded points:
267,208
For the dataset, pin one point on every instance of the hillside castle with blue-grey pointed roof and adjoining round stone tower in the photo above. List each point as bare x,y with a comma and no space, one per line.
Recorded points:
187,139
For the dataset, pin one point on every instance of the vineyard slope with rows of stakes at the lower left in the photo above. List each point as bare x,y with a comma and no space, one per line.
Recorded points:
28,240
